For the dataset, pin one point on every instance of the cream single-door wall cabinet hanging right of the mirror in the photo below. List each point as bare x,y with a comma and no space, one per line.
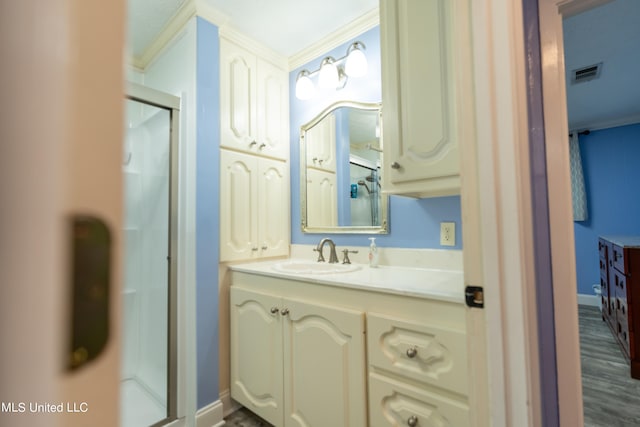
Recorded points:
421,53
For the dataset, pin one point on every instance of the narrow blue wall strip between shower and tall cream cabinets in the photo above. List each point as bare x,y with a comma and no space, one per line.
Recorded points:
207,212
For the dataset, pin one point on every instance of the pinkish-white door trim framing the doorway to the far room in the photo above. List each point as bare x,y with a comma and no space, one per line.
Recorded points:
560,216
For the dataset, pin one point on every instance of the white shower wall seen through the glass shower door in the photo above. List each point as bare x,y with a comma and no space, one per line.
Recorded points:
147,247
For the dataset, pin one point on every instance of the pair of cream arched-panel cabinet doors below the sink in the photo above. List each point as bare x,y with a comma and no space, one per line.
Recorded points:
297,363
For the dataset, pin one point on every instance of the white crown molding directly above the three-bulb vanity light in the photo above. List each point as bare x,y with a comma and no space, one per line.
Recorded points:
366,22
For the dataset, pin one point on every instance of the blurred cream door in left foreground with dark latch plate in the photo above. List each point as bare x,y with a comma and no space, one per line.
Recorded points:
61,156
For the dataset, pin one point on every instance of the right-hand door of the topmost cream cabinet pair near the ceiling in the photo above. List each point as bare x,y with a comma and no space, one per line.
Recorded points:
273,110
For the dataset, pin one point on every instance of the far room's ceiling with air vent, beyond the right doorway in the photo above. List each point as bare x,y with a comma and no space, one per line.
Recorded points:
609,34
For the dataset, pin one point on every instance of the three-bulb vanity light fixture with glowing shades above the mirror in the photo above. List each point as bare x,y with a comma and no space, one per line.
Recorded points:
332,74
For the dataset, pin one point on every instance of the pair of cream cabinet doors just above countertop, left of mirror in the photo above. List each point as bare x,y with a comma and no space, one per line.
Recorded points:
254,206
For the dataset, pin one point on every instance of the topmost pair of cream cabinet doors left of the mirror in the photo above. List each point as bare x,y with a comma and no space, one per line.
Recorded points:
254,103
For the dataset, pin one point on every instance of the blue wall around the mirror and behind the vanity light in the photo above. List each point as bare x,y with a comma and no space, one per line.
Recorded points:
412,223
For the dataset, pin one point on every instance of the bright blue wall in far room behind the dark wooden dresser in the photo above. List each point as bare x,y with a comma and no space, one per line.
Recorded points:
610,161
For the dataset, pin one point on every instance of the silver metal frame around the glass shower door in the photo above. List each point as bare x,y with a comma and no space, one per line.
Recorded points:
148,96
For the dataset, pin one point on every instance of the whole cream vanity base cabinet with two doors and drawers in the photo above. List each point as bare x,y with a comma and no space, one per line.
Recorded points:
303,355
